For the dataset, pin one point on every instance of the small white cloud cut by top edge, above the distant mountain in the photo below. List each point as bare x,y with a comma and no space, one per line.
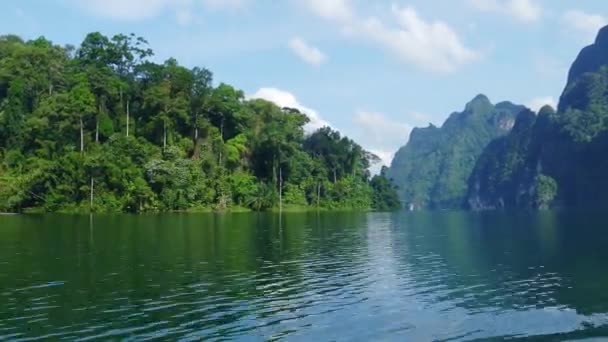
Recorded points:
522,10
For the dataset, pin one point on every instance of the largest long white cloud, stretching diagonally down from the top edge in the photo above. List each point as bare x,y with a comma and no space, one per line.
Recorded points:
430,45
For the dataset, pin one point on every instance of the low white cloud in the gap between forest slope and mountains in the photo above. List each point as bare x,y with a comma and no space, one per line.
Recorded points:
379,134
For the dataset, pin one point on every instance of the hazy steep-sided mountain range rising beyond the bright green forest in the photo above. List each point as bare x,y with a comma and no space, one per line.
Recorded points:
507,156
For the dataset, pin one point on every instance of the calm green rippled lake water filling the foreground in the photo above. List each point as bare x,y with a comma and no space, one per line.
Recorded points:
304,277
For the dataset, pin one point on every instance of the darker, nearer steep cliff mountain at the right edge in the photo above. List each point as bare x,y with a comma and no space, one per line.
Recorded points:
557,158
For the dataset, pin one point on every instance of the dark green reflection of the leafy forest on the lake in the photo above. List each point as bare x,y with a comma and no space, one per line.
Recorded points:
208,270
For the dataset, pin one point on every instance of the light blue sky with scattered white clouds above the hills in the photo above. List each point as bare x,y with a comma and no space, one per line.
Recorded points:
372,69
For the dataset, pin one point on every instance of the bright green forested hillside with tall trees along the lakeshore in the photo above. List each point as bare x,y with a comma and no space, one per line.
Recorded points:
102,128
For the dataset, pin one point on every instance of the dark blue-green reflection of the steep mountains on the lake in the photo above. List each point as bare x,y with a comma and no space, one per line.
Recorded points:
500,260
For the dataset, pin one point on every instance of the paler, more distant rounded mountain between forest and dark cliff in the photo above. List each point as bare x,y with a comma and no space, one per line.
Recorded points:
431,171
